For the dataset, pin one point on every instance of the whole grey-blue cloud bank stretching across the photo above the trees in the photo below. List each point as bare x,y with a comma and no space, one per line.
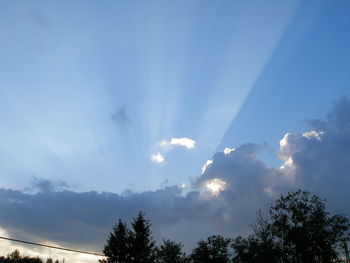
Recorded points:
223,200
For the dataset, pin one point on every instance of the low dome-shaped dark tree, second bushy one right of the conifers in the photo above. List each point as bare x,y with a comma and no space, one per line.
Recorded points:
214,250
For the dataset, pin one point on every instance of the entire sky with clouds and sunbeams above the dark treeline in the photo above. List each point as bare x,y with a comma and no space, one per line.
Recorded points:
196,112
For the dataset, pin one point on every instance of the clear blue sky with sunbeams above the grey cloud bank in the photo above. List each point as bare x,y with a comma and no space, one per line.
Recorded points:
91,90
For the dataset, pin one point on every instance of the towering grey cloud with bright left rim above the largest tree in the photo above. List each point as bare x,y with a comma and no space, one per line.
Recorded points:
321,157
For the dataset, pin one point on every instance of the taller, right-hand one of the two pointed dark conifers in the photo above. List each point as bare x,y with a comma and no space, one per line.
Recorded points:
142,249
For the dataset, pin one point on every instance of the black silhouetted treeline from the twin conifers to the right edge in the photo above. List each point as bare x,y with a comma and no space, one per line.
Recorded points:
295,229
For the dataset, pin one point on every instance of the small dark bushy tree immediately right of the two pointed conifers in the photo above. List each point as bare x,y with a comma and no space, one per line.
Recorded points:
170,252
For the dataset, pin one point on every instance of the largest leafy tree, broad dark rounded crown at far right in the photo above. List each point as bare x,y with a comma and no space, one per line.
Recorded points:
305,230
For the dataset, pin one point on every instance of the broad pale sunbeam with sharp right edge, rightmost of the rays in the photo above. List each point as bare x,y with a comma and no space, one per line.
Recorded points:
253,39
